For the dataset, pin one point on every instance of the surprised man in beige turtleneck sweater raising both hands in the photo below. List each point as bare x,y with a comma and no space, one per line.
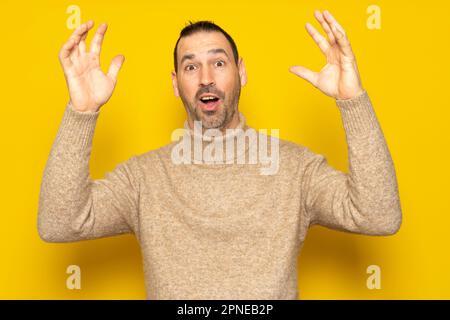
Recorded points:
217,230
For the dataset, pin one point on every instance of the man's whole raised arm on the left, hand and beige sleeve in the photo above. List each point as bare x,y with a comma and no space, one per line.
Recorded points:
73,207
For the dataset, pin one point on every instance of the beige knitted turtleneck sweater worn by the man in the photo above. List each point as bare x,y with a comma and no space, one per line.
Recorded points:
220,231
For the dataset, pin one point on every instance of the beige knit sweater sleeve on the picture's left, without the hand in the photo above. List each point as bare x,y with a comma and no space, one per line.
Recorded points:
72,206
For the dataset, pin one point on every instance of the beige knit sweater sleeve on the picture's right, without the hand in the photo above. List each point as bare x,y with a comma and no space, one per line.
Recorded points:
365,200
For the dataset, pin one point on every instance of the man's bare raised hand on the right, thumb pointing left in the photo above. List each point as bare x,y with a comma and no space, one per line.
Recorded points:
339,78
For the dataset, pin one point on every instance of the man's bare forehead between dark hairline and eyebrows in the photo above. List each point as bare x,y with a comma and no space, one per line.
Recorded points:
202,42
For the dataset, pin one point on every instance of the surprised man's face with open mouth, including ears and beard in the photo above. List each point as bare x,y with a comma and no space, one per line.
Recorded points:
206,66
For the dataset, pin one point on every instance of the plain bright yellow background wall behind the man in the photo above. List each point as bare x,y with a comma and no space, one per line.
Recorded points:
404,67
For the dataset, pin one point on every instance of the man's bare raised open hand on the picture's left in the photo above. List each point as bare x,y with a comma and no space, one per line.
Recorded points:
89,87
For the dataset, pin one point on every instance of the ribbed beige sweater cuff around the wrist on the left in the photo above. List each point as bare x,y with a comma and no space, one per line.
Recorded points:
77,128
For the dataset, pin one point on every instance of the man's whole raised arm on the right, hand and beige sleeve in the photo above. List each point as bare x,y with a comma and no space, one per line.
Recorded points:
366,199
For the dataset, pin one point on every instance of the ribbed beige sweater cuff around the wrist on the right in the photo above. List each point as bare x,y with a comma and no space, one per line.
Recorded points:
358,115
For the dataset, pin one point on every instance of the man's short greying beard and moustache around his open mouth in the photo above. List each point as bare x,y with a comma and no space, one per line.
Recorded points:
217,119
